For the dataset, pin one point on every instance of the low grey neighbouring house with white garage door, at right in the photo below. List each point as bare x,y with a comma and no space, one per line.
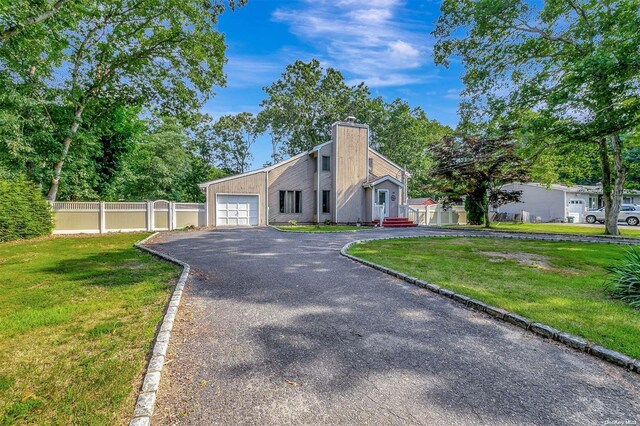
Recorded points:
556,203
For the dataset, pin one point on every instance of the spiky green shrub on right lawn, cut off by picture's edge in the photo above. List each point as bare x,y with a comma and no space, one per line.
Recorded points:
624,278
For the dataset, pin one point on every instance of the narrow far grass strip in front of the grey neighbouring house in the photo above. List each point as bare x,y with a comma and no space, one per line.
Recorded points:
554,228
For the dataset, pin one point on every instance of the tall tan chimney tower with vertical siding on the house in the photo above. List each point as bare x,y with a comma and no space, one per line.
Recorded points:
349,157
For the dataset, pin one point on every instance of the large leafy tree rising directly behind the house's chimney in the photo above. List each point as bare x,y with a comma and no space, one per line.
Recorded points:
305,101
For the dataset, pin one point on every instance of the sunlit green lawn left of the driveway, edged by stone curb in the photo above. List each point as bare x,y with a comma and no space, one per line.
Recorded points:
77,318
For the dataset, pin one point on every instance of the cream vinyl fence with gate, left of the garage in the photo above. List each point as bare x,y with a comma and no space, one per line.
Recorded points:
101,217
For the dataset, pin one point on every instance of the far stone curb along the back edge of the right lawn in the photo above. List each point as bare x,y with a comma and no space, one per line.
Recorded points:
579,238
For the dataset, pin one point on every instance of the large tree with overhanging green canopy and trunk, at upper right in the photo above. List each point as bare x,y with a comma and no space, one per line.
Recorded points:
575,62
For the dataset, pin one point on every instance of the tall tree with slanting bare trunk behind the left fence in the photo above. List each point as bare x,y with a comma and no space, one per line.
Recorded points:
165,53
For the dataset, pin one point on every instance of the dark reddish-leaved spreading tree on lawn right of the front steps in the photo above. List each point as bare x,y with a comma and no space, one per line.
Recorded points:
477,168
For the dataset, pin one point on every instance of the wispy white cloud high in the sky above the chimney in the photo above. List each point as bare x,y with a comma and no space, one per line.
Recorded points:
366,39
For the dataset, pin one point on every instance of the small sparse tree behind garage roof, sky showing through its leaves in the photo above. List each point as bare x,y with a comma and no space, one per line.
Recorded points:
234,136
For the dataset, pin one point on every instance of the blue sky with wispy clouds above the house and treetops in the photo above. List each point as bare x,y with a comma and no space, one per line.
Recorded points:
385,43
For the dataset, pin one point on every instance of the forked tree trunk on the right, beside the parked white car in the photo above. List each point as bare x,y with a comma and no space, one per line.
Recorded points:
612,186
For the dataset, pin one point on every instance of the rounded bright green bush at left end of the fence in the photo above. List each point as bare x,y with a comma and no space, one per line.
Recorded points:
24,213
